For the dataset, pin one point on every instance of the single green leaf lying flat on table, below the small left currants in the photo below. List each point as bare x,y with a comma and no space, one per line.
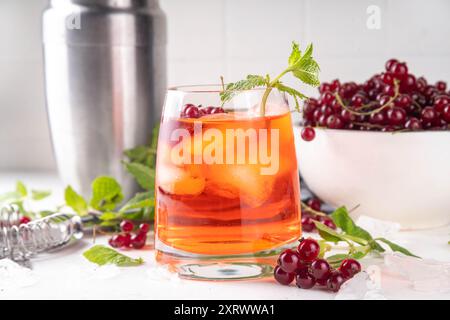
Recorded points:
102,255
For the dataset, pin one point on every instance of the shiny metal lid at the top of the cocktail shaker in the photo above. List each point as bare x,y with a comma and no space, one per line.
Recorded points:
104,22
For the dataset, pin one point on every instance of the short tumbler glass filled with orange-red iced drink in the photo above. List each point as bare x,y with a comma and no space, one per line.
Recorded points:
227,185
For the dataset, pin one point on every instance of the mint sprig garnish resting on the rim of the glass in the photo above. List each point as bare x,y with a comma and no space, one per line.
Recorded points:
302,66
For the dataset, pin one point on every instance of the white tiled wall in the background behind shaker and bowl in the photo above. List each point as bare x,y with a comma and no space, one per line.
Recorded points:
209,38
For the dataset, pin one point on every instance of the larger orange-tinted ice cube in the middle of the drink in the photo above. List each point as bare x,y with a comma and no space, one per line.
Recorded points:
244,181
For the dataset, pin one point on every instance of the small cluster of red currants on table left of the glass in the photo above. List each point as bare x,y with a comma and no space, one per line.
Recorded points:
128,240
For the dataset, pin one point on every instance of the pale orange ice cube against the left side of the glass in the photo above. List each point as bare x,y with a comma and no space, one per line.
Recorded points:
180,181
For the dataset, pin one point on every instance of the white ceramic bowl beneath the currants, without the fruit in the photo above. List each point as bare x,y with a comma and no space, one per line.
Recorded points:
400,177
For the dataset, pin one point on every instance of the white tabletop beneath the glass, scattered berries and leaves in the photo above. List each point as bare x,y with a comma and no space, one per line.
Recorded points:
67,275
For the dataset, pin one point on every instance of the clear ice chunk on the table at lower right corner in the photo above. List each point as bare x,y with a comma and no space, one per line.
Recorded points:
423,274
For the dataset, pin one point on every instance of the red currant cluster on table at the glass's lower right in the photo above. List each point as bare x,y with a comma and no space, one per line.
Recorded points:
307,269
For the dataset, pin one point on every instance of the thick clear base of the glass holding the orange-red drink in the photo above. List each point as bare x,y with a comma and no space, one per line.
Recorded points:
220,268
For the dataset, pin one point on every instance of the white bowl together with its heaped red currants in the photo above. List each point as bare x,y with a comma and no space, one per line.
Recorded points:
382,145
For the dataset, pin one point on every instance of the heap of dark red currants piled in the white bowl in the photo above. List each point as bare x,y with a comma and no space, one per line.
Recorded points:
389,101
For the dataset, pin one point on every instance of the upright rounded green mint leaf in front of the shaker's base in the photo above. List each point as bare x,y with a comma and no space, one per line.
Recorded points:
106,193
